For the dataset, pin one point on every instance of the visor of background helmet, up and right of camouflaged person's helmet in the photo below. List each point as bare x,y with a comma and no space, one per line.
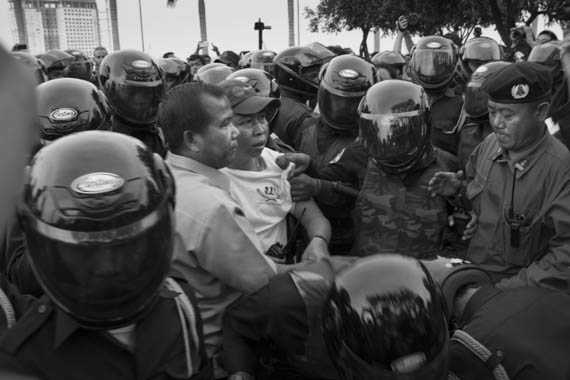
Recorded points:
433,66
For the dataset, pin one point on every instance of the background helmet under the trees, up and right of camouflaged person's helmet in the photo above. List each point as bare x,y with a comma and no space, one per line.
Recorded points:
432,63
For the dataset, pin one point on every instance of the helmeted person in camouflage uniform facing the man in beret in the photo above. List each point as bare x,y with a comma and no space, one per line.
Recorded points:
394,210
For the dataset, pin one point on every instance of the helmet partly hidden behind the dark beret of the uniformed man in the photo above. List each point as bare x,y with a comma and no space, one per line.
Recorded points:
476,98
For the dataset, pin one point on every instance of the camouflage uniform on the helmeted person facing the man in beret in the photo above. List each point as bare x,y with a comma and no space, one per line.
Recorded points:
397,214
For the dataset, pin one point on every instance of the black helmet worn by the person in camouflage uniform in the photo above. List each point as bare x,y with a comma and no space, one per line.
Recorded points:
393,124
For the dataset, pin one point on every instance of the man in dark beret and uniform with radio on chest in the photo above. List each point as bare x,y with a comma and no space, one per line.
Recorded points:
518,185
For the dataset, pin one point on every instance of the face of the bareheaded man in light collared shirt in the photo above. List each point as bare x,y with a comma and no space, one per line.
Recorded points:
218,143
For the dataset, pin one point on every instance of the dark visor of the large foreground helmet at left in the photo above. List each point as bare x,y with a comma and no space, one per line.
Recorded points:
103,281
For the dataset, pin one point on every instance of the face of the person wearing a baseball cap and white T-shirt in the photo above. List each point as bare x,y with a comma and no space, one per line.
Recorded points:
253,133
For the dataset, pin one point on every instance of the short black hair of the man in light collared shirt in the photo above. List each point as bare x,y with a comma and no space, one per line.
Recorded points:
185,108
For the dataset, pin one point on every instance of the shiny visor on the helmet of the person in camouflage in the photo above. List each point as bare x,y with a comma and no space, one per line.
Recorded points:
392,138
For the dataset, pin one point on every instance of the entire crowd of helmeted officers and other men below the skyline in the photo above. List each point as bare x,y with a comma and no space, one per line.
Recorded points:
307,214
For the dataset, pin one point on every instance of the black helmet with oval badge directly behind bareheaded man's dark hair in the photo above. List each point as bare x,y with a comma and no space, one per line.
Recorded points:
133,84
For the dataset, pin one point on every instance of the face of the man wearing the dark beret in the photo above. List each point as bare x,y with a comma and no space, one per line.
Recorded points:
516,125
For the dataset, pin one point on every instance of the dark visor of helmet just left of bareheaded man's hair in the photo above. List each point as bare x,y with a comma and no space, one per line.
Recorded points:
135,103
